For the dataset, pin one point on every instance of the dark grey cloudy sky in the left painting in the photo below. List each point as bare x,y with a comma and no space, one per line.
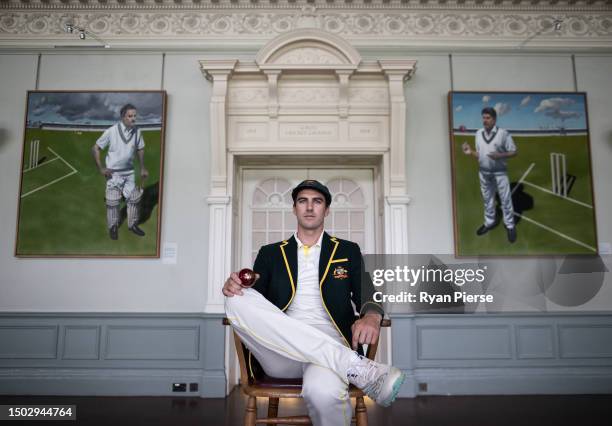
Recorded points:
92,107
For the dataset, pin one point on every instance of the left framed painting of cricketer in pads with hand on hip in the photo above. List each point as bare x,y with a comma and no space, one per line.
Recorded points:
91,174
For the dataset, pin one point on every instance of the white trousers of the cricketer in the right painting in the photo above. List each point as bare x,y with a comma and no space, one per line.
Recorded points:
491,182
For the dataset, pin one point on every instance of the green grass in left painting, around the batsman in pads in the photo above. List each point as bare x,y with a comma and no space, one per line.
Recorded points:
63,212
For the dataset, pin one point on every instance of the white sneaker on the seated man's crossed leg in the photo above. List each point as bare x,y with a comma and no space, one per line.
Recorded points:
378,381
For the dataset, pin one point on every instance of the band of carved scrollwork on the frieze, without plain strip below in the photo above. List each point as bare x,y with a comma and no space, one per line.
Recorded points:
266,24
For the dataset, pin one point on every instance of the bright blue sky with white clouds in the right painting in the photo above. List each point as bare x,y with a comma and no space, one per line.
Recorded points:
521,111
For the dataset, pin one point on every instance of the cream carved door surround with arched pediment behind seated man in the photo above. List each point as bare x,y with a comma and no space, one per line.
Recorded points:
306,93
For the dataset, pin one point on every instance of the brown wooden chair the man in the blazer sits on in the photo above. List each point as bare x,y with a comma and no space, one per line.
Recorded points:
275,388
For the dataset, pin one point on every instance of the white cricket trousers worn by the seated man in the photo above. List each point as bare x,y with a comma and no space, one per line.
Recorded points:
288,348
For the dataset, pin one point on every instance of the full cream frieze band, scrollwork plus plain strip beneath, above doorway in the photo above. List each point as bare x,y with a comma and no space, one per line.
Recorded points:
436,29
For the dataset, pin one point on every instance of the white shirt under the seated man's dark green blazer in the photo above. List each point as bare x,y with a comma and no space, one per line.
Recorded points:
307,304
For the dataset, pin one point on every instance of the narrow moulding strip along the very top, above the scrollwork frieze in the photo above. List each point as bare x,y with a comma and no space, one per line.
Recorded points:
482,5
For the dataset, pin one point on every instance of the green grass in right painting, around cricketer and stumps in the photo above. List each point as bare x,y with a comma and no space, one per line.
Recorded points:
564,227
